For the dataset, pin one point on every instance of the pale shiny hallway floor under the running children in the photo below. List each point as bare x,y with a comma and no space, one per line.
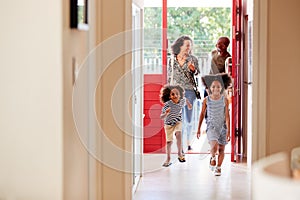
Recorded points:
192,179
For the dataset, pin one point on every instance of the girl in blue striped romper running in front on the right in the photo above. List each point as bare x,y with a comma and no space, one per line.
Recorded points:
218,119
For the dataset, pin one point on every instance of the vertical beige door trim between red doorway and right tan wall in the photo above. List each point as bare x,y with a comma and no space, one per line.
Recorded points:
259,97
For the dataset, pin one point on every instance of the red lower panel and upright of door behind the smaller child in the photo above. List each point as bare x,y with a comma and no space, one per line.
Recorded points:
154,135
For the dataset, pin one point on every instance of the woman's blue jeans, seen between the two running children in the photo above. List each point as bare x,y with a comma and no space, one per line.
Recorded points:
188,116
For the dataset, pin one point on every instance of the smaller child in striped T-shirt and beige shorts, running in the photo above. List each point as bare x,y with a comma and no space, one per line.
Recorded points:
174,100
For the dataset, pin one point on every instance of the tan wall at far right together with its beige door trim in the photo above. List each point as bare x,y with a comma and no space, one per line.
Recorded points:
275,107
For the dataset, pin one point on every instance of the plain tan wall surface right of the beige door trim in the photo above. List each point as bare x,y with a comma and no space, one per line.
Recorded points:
283,108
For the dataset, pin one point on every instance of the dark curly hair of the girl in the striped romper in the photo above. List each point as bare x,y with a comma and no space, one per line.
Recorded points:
223,78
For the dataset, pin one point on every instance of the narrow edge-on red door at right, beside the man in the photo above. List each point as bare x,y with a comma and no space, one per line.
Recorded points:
236,75
